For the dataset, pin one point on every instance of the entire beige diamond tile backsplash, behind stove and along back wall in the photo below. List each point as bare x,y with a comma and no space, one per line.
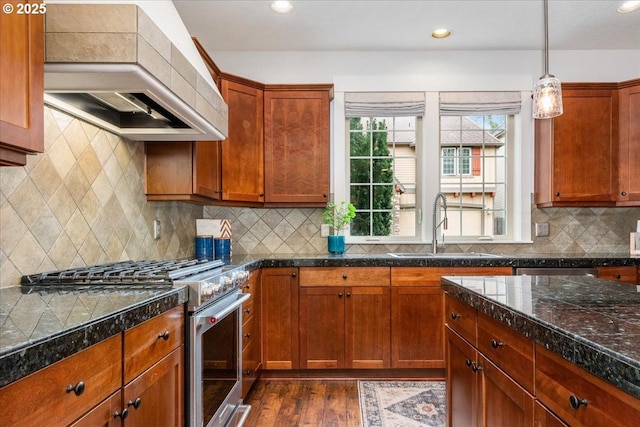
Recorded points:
82,202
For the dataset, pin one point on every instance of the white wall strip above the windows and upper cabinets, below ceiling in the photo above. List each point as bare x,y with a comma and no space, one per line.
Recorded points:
324,67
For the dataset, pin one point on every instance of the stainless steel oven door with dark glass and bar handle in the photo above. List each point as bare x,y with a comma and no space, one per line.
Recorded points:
215,362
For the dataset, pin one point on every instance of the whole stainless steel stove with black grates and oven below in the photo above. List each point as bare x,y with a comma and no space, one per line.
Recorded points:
214,322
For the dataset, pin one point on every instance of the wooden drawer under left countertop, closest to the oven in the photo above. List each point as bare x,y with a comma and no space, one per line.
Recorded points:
150,341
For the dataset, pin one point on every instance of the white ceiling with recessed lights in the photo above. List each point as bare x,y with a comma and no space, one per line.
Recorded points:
321,25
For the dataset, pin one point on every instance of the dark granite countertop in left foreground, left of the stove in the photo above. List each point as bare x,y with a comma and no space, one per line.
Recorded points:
38,329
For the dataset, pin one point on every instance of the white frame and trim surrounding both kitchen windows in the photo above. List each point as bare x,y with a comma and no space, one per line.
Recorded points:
520,175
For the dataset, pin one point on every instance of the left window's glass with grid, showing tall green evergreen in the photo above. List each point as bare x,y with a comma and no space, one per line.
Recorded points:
382,175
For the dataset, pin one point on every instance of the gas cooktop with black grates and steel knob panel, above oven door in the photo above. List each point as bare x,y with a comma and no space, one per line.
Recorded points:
208,281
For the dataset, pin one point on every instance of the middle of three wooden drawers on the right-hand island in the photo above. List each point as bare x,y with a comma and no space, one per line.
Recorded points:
509,350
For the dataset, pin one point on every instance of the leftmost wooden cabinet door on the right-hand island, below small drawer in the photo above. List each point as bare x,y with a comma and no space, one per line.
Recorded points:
462,382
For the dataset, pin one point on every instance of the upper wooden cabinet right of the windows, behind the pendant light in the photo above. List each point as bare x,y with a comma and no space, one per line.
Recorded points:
586,157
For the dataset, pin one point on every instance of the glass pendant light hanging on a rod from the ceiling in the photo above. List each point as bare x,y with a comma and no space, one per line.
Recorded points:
547,93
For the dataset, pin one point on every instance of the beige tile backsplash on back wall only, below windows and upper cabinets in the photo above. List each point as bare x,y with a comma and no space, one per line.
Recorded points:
297,231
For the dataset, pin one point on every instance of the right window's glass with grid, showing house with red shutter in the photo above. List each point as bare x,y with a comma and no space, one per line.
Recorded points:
473,177
